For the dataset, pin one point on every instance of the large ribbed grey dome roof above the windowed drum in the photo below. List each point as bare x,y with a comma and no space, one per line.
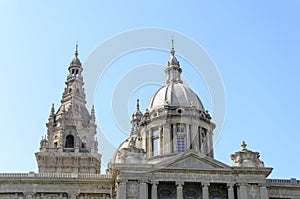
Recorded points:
175,94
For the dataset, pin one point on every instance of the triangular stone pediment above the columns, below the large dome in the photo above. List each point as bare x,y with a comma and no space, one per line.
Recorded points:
192,160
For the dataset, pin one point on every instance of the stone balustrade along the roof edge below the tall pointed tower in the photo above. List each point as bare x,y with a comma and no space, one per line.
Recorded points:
53,175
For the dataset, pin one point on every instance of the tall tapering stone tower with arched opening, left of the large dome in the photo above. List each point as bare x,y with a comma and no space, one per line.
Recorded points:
70,145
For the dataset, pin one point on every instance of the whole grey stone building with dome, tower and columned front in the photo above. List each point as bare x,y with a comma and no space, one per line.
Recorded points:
168,155
